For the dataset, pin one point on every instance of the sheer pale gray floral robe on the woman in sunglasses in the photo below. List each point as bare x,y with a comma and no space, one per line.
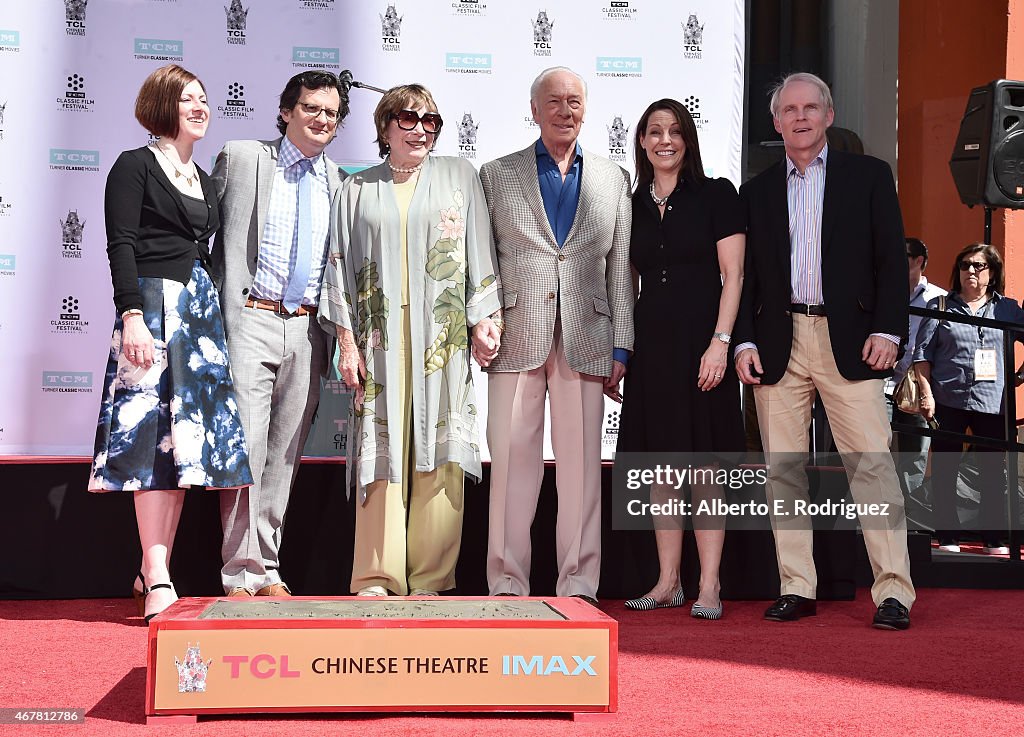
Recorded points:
453,285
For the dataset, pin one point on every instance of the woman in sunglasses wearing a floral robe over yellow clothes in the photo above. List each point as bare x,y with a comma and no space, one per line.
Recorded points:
411,289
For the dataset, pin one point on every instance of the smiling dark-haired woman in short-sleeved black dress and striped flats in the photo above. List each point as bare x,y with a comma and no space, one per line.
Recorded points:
681,394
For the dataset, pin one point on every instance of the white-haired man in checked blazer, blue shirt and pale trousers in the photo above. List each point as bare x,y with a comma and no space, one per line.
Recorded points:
562,220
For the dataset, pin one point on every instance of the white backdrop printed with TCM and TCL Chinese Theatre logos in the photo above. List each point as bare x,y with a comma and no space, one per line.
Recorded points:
70,71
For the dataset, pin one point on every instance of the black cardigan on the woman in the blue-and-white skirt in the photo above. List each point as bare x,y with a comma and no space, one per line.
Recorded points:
148,229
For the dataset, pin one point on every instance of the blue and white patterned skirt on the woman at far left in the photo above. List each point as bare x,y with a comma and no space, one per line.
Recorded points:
176,425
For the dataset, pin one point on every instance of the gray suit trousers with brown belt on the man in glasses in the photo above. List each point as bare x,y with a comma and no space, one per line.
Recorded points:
277,363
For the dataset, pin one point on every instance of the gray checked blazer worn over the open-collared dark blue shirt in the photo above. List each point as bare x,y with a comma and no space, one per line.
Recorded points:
586,283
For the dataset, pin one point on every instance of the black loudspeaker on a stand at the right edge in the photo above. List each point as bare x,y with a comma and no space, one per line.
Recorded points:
988,163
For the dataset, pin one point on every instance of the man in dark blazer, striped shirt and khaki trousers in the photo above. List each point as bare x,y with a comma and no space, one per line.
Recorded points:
824,313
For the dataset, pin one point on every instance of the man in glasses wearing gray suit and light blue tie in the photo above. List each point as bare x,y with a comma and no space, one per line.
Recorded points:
269,263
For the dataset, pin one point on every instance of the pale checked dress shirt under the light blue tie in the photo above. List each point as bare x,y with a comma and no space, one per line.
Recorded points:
281,239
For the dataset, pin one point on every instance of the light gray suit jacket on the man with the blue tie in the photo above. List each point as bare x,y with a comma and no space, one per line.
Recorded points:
244,178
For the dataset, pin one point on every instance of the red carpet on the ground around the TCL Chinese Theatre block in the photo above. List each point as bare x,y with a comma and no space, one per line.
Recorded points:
959,671
